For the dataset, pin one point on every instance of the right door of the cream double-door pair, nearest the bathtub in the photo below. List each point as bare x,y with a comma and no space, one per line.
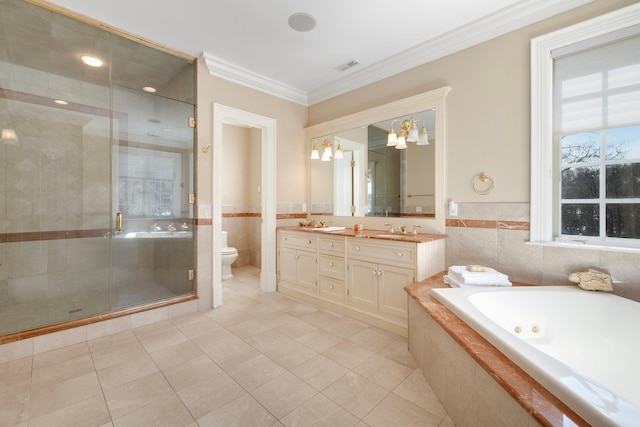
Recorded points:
392,299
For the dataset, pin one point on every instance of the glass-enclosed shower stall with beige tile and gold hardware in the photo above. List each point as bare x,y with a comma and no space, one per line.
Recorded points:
96,170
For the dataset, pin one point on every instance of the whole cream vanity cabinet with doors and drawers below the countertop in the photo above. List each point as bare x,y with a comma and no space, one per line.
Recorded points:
362,278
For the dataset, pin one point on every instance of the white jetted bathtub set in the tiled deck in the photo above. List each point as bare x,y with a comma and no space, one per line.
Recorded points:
582,346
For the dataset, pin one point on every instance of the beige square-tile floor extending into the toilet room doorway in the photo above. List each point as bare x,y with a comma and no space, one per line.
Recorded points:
262,359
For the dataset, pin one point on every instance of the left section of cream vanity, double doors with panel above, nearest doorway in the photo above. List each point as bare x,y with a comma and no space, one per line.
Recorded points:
297,261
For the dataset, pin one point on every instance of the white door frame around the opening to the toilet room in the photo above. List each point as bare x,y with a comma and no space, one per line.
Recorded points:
223,114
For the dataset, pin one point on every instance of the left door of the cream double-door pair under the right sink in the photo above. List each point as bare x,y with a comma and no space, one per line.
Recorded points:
362,285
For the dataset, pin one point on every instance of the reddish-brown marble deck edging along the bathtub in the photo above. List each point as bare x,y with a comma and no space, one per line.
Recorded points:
545,408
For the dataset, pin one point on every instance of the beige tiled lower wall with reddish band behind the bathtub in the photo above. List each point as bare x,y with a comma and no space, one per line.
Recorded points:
496,235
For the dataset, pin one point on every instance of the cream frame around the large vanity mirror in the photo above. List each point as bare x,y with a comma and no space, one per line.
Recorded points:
431,100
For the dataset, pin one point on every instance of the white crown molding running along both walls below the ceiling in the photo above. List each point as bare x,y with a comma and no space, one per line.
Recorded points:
497,24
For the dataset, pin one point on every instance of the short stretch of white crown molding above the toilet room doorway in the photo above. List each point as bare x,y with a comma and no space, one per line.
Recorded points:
231,72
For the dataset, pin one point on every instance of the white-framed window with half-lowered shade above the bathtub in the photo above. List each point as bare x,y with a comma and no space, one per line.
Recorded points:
586,133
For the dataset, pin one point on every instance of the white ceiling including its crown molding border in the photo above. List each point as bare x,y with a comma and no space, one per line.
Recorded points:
251,43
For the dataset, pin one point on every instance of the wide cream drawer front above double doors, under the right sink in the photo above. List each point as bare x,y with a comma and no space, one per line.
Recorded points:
389,253
